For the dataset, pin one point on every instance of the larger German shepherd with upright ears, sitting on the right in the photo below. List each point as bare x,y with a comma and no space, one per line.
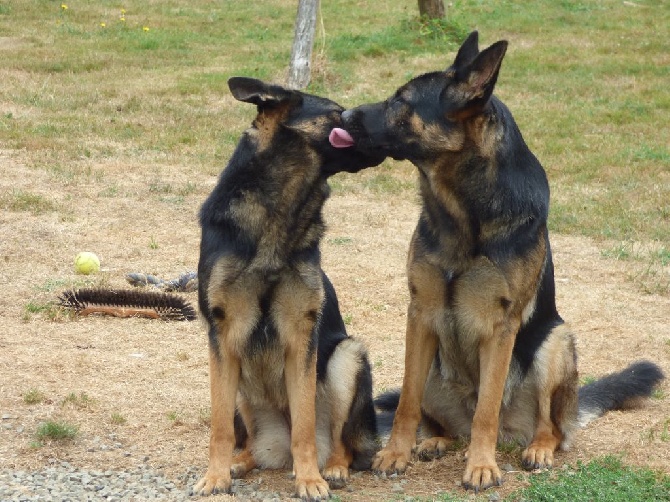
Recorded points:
487,354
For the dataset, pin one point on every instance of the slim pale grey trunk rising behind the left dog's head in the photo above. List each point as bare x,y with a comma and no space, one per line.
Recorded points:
303,41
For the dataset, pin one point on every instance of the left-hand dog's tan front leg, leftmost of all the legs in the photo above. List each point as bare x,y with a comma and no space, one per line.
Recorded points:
224,375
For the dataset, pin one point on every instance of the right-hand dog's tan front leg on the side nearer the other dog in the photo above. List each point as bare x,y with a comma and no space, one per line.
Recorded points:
420,347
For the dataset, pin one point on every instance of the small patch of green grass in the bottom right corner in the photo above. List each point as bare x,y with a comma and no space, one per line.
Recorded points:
602,479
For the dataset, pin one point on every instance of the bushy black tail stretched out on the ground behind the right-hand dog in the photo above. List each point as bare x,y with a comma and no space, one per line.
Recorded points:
617,390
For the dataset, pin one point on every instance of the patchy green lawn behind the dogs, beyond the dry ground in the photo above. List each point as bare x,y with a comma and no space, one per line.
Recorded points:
582,79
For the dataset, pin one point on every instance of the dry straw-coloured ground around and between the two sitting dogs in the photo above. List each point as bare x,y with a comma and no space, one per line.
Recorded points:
154,374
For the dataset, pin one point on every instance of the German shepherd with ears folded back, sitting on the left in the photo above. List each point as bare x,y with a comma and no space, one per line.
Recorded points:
281,364
